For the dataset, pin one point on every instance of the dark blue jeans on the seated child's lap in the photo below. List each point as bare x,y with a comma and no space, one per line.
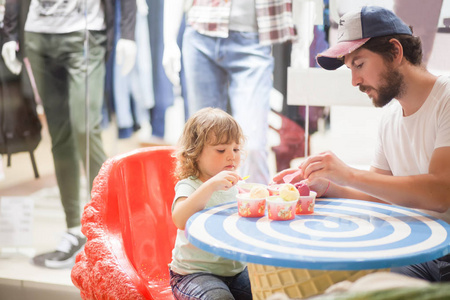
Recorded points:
207,286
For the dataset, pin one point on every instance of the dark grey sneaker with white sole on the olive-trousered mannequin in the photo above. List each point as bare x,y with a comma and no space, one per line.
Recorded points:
64,255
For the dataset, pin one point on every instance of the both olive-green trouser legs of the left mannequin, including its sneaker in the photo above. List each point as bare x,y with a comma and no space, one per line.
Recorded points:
59,67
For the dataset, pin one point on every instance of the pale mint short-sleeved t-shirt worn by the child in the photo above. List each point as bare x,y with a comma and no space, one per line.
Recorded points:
188,259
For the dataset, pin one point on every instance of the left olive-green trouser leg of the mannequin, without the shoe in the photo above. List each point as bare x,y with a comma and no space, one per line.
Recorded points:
51,80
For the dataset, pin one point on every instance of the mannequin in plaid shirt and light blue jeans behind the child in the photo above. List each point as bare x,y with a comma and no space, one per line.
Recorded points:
247,98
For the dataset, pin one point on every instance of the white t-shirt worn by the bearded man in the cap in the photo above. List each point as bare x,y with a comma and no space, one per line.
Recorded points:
405,144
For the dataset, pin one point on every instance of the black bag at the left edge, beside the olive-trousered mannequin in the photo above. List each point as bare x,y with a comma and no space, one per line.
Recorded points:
20,127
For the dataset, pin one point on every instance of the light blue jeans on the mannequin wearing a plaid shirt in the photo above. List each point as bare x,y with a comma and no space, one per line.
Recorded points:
236,69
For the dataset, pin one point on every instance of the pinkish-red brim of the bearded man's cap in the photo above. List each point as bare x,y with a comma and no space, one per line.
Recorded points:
332,58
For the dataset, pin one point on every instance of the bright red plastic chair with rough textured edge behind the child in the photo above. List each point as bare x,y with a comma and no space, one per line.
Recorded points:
129,228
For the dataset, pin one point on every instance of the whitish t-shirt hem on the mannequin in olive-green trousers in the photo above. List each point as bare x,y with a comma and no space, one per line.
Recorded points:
60,16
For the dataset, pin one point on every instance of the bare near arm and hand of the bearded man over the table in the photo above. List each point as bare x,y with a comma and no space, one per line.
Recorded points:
426,191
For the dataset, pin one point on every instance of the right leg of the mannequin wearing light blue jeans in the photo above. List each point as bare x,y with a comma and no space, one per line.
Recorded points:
250,66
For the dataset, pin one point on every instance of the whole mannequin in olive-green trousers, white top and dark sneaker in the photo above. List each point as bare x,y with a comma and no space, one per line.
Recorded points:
54,43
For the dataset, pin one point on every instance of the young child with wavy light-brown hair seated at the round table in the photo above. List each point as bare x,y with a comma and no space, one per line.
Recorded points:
208,154
